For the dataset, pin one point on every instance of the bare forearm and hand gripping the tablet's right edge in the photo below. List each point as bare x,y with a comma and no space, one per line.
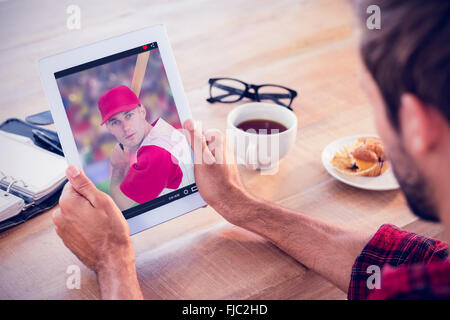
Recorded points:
327,249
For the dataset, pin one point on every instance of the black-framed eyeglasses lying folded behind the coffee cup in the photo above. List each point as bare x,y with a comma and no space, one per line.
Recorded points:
229,90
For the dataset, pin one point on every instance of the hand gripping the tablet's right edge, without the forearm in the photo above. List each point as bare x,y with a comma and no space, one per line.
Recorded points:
216,173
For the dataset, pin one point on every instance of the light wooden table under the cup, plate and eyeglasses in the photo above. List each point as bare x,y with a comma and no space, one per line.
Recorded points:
310,46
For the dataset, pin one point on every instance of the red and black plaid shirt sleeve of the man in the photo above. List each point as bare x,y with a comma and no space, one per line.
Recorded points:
412,267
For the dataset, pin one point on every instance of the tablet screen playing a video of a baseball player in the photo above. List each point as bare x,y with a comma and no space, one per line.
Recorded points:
127,129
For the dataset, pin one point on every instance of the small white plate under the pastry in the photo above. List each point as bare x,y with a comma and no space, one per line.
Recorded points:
384,182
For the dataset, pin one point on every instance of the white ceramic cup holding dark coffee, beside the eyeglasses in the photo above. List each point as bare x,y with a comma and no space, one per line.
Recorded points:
261,151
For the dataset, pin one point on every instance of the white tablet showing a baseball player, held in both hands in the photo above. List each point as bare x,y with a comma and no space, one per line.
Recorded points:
119,106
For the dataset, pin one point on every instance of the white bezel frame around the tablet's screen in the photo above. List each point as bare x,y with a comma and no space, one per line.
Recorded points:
50,65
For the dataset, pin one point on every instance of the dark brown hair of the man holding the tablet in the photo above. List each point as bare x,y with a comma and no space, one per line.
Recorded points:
410,53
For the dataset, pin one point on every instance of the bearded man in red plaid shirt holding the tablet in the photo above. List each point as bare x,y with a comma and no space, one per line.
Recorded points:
405,74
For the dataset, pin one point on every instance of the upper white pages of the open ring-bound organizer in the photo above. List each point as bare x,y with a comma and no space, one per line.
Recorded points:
27,171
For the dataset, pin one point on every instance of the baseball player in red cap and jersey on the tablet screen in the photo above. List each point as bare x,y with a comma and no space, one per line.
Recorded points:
145,163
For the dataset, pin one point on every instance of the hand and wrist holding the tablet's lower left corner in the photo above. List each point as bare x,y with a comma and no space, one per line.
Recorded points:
94,229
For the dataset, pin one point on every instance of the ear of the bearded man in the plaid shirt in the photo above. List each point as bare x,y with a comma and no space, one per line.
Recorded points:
421,125
